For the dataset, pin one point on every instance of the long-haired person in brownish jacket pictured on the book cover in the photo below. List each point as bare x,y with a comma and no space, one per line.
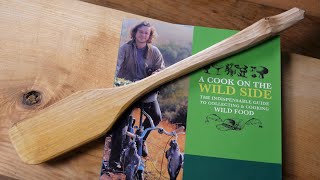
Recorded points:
137,59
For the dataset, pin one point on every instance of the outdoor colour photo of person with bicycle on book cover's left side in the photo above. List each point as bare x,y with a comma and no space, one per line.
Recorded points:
147,141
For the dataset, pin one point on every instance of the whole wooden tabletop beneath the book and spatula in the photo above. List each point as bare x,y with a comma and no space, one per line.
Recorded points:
60,47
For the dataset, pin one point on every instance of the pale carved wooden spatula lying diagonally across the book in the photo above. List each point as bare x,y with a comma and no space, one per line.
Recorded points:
89,114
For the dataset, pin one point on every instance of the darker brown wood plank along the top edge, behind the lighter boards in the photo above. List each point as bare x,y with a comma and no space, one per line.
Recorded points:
302,39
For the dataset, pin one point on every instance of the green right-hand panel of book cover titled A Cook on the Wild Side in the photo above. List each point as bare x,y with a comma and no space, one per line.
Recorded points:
234,113
